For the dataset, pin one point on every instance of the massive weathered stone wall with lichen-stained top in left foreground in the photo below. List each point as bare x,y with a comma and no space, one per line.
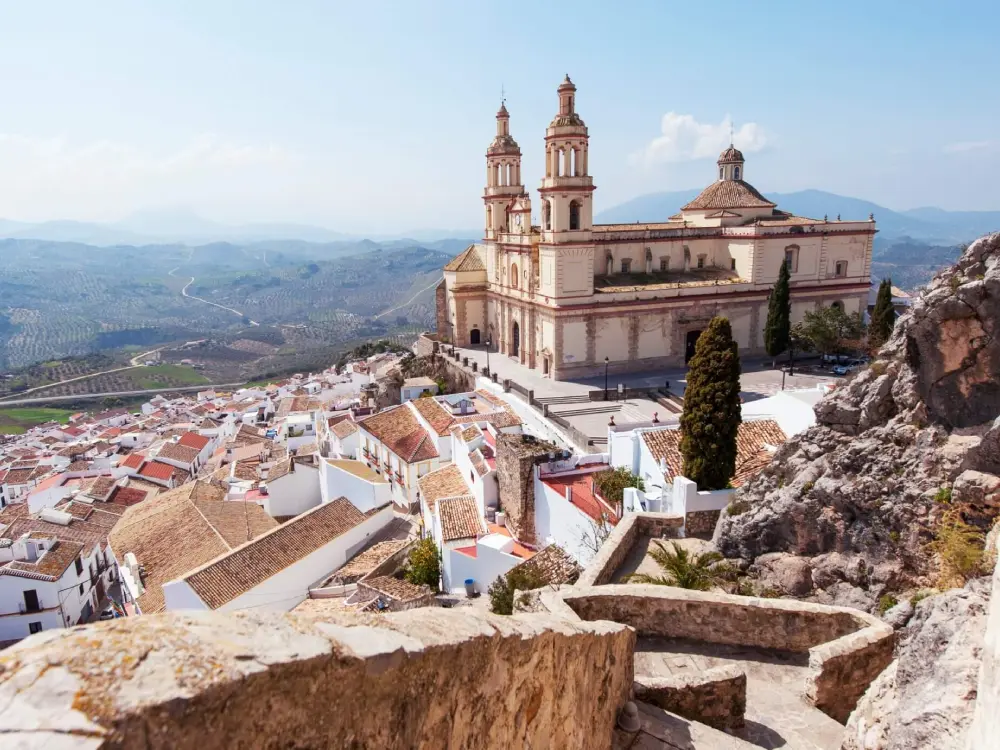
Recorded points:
428,678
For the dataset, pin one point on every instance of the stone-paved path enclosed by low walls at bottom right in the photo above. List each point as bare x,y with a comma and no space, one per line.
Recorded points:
777,714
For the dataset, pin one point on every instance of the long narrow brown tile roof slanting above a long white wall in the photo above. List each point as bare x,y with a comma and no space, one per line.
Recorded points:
236,572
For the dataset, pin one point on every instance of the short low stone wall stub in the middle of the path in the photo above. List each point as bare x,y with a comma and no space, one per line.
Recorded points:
717,696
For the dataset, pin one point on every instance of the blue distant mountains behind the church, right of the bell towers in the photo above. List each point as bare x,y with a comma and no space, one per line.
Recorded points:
931,224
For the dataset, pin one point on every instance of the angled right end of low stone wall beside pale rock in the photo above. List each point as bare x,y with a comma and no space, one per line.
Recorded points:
844,668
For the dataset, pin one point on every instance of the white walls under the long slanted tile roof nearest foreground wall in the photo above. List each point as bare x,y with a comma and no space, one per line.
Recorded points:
284,590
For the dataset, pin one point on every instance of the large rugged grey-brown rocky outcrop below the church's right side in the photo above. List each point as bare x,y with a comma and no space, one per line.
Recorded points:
853,501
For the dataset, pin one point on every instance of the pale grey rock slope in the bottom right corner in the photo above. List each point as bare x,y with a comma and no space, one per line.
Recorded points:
927,696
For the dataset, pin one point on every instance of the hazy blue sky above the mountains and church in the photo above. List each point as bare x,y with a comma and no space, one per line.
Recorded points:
375,116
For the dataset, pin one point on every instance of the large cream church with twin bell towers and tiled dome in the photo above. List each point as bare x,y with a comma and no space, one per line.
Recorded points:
565,296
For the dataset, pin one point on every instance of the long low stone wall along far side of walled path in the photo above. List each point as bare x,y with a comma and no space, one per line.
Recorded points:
718,618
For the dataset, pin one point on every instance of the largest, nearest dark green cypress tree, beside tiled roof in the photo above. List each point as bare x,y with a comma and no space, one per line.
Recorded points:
712,414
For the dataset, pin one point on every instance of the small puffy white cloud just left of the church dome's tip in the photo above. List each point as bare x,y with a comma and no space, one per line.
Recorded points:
683,138
